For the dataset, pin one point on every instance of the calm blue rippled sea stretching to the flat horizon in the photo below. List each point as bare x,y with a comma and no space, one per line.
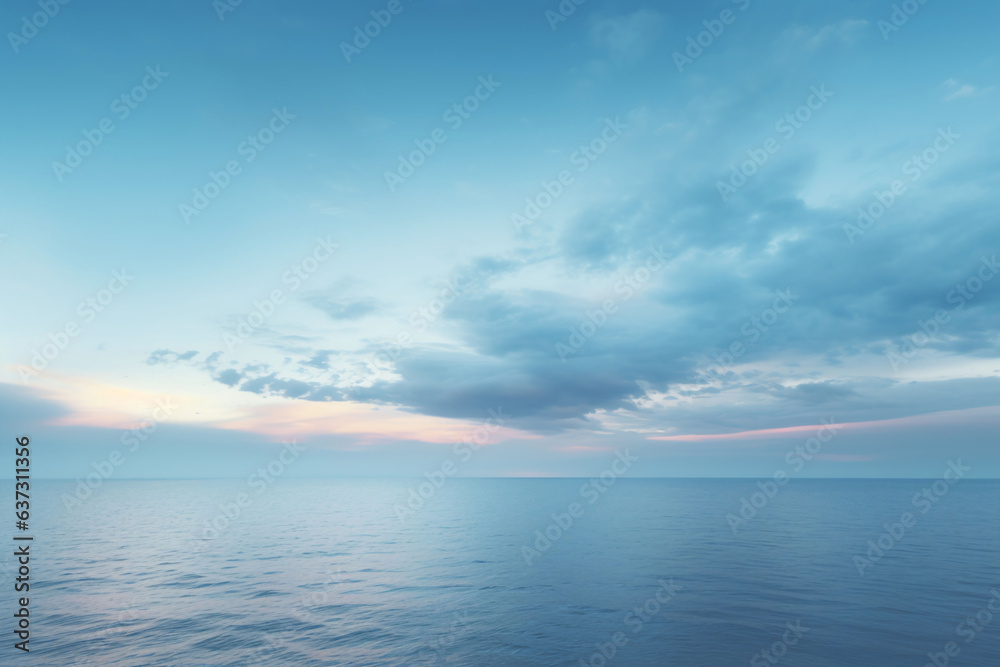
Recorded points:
519,572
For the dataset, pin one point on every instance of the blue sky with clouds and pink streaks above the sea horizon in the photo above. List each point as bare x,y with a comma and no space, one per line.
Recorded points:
708,233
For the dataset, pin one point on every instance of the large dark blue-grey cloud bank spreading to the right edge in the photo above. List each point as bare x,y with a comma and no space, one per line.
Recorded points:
728,261
